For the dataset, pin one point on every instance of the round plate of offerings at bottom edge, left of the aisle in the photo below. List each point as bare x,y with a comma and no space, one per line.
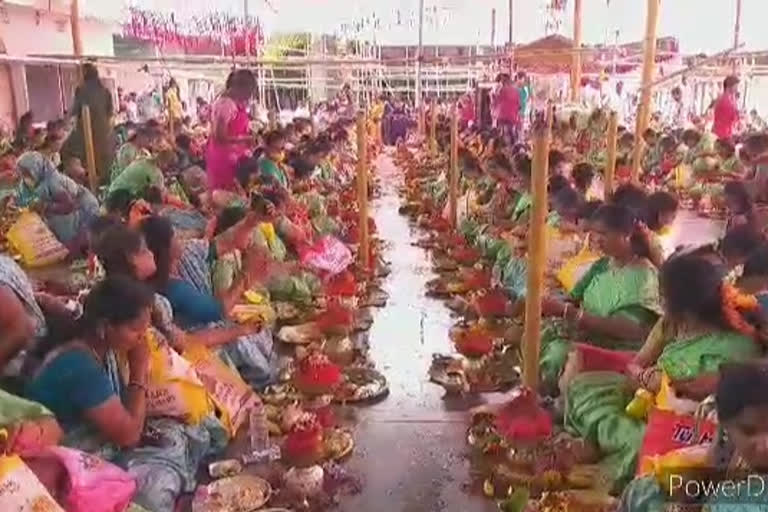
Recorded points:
241,493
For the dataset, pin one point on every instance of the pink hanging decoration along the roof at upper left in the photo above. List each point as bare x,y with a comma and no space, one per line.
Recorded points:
214,33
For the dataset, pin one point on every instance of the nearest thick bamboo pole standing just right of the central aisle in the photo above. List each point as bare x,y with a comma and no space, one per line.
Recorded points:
537,250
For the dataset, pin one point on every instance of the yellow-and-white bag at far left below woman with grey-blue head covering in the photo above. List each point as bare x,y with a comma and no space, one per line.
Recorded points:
35,242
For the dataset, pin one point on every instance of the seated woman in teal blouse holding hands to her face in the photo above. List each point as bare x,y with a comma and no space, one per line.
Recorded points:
101,401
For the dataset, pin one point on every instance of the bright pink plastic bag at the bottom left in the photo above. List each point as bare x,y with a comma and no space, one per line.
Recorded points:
94,485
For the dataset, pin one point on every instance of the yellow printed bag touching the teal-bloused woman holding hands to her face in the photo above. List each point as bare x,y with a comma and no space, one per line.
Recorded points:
174,389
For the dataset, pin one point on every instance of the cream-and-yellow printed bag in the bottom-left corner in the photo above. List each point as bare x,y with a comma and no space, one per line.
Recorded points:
20,490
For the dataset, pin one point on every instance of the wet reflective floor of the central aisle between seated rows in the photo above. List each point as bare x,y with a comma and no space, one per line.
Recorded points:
410,446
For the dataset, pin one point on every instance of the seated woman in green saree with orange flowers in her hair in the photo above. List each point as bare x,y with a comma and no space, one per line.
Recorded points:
686,349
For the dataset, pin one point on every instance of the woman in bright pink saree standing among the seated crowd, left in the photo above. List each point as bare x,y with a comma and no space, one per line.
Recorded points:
230,133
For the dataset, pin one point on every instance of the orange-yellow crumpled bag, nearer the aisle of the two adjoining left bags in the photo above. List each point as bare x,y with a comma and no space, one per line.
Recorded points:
233,398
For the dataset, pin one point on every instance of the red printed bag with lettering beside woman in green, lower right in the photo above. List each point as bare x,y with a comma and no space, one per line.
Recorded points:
667,431
